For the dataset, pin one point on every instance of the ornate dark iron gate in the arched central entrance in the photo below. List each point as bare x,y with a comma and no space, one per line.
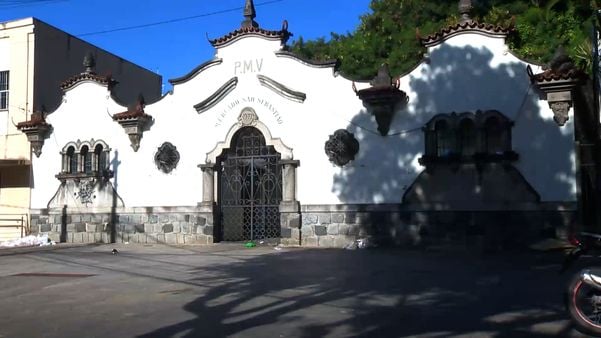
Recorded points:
250,188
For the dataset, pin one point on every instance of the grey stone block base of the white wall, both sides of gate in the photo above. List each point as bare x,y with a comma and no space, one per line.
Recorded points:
331,226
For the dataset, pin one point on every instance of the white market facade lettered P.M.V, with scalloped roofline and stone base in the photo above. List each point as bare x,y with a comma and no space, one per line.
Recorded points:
259,143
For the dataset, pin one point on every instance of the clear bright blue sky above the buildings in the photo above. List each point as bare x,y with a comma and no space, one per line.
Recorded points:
173,49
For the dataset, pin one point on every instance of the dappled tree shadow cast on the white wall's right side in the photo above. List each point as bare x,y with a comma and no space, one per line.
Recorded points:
465,79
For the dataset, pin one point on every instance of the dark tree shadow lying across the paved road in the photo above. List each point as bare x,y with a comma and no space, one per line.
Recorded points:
374,293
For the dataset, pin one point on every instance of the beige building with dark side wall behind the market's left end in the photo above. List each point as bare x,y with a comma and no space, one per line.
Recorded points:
35,58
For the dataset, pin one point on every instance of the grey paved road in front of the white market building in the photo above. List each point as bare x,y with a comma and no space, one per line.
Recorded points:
230,291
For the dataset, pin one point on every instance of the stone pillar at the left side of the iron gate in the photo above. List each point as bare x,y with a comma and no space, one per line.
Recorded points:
208,207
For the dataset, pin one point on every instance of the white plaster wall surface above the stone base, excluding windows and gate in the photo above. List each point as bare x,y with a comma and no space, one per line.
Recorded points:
466,73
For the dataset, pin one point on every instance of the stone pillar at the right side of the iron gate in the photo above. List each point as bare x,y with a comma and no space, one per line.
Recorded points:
289,207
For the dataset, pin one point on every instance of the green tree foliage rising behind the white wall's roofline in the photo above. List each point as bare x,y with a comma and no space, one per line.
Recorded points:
387,34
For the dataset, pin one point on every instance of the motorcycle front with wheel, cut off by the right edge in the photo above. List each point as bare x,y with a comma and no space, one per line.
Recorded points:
583,296
